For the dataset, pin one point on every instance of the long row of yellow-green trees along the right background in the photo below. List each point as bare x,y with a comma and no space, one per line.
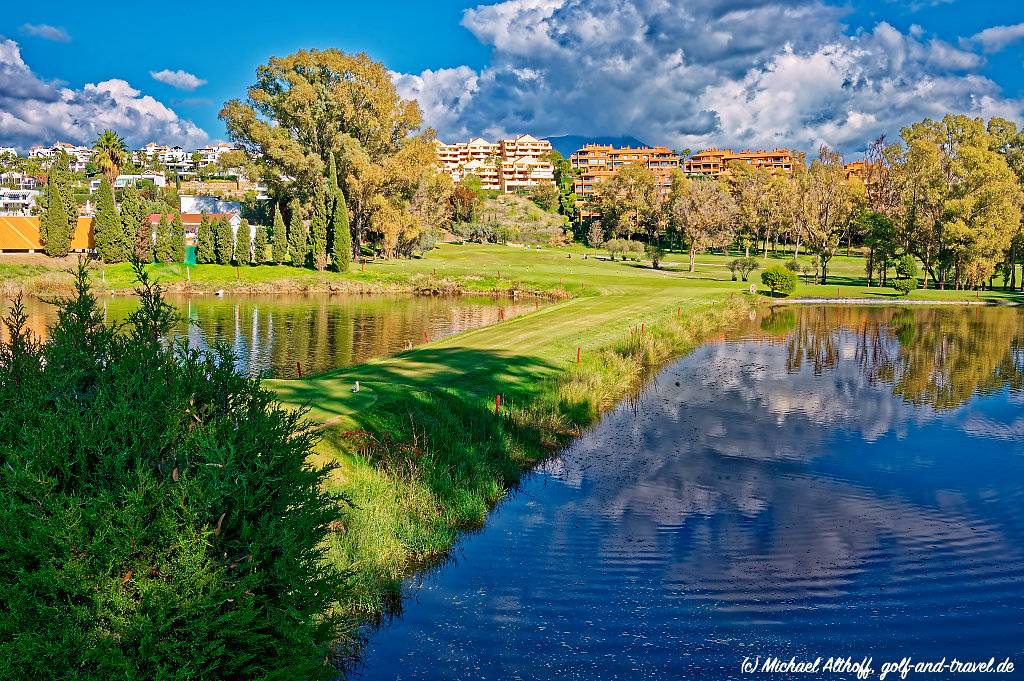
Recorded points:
949,195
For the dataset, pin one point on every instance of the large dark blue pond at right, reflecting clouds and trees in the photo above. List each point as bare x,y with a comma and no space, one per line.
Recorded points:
825,482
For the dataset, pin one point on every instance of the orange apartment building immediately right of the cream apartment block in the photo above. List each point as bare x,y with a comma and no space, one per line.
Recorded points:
596,162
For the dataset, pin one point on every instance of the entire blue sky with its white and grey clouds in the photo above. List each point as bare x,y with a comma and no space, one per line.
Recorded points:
778,72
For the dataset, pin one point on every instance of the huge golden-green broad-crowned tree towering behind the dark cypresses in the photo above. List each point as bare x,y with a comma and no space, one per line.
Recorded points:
306,106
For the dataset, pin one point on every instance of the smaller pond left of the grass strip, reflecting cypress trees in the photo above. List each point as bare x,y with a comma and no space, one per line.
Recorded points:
276,335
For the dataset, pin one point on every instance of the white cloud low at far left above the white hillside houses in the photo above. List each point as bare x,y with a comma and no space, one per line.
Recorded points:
33,111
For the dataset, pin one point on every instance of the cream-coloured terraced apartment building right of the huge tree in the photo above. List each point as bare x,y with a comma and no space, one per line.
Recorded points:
506,166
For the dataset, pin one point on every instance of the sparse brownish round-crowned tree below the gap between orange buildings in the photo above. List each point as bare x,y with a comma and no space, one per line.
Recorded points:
705,212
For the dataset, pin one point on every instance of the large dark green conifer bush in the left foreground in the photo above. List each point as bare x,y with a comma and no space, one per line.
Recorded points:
160,520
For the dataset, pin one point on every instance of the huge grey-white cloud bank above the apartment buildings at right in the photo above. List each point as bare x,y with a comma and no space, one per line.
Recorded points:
757,73
